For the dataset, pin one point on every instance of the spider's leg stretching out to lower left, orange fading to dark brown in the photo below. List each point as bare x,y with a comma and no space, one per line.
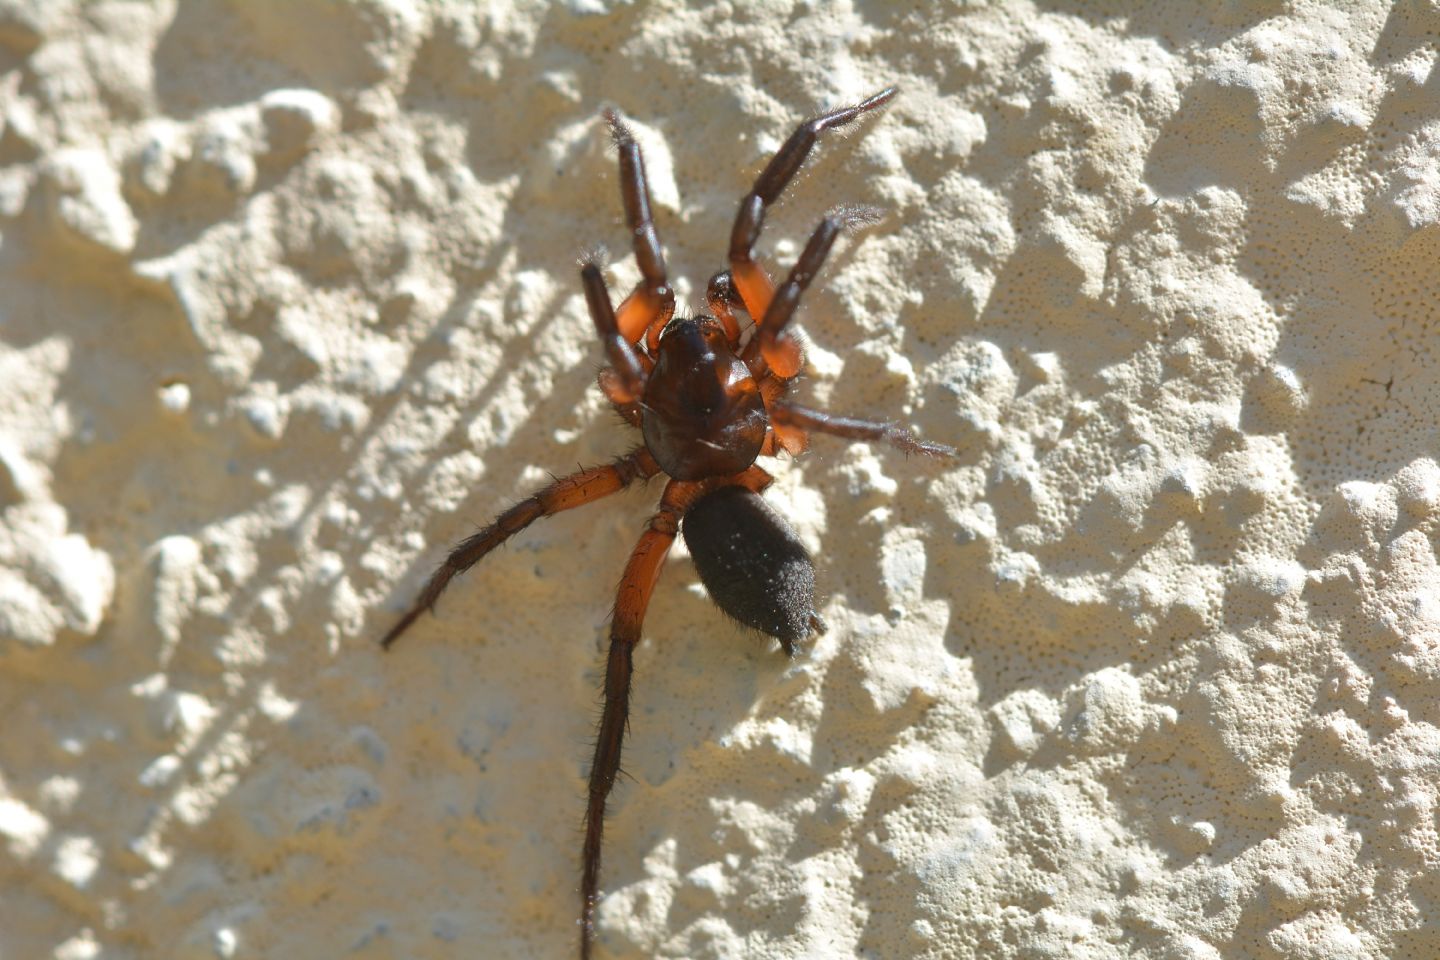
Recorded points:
567,493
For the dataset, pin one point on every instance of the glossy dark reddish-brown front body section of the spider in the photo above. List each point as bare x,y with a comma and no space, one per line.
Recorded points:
702,414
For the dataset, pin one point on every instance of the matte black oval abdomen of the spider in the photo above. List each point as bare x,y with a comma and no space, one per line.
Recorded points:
752,563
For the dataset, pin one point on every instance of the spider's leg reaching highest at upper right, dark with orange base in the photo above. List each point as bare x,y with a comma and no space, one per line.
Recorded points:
750,277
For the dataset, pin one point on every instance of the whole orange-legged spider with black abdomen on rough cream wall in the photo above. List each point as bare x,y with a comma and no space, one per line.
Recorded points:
708,401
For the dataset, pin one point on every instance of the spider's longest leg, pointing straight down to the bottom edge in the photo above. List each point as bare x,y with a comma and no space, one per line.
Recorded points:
631,602
